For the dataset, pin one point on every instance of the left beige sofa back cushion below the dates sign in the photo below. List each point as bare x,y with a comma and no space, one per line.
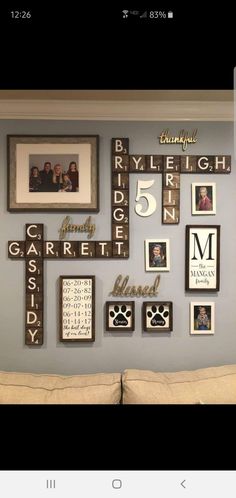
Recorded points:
28,388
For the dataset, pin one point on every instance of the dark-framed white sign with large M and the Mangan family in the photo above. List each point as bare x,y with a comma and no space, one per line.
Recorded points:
202,273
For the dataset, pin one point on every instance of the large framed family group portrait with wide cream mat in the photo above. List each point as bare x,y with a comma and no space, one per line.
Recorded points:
53,173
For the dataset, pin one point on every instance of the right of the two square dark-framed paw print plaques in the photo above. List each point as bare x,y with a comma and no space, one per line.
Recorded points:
157,316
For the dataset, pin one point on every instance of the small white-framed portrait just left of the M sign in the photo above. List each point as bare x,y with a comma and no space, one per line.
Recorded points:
157,254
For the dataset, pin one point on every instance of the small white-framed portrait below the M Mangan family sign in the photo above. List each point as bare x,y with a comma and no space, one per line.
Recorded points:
202,318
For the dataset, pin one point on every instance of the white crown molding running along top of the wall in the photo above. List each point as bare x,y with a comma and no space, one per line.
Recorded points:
117,110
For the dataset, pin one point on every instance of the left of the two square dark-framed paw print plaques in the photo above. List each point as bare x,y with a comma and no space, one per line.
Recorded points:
120,316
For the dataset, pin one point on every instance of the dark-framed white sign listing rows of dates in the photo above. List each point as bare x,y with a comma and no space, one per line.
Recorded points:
82,317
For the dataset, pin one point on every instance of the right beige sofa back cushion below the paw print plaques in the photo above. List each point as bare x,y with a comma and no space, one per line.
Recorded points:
204,386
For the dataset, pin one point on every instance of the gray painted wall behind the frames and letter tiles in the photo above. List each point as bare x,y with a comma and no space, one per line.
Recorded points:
115,352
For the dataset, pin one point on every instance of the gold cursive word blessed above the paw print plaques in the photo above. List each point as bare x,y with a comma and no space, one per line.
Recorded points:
120,288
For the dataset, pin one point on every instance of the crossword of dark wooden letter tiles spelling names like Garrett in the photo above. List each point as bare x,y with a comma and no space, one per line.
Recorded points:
34,249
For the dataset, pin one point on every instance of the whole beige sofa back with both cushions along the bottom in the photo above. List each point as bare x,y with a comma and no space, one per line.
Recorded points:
215,385
